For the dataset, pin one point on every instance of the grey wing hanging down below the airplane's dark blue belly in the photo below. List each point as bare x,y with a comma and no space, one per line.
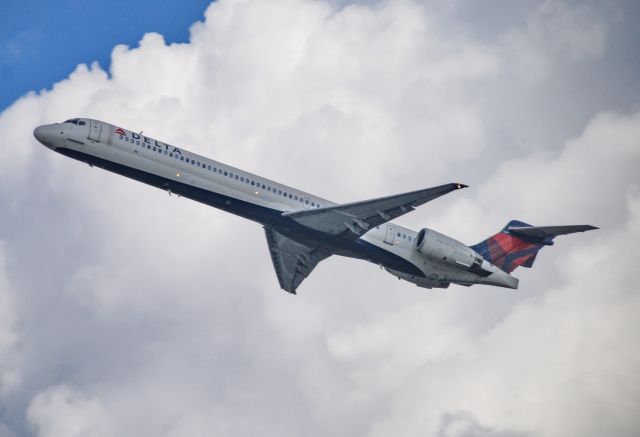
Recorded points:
292,261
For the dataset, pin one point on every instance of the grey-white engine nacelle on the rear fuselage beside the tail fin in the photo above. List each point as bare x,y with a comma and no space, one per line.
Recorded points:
443,249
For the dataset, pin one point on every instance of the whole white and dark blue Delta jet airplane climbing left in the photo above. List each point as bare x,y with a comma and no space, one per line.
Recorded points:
302,229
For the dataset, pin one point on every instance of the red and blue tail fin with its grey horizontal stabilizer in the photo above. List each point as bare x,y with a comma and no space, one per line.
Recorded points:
518,243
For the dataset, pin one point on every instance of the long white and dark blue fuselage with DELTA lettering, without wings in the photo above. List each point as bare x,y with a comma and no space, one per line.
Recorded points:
257,198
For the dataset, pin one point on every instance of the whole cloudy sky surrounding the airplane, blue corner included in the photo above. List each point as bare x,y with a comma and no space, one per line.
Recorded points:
124,311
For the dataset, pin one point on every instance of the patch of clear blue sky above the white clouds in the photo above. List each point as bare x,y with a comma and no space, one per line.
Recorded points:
41,42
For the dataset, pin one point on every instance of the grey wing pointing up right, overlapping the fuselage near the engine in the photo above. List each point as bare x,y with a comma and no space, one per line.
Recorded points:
357,218
